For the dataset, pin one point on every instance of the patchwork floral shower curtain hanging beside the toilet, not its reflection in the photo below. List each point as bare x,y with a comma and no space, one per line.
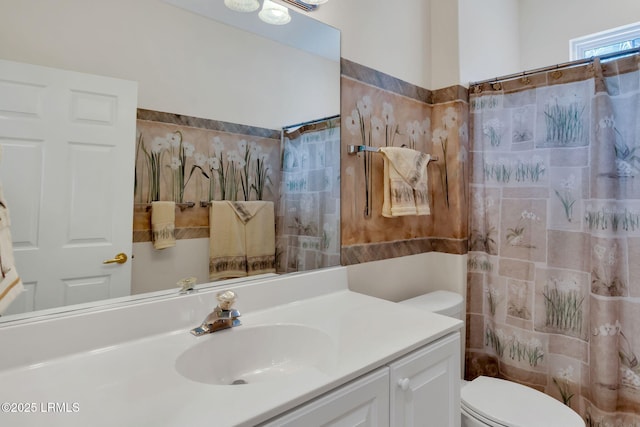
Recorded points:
554,271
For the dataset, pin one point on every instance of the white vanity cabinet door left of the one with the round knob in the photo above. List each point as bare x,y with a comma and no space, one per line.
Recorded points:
362,403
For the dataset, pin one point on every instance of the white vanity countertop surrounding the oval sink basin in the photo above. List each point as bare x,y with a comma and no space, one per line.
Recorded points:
136,383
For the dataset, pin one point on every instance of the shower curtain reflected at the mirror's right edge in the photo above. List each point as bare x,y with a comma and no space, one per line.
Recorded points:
308,212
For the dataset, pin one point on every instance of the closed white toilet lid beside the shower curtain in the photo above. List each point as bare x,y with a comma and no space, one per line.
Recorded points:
506,403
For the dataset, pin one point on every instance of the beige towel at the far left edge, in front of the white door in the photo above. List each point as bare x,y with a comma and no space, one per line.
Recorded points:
10,284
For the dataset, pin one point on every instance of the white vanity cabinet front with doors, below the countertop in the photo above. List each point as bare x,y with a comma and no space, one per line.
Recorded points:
421,388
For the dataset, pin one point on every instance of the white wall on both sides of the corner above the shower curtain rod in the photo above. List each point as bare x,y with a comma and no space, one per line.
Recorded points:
499,37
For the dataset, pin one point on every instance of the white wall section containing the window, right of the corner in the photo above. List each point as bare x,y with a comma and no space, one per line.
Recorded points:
546,26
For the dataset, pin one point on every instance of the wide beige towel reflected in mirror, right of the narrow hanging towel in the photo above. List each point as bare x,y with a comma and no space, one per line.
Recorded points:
242,239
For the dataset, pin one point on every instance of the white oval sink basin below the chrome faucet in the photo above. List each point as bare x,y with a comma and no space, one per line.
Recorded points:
254,354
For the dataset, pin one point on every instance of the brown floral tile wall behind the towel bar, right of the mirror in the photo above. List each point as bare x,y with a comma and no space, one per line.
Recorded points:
378,110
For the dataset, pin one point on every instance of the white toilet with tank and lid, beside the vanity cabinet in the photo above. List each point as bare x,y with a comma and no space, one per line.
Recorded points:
494,402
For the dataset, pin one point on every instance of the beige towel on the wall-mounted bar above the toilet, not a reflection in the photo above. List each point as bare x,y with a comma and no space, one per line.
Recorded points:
405,182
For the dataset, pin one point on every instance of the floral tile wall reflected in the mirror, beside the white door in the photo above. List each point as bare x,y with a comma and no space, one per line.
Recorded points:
187,159
